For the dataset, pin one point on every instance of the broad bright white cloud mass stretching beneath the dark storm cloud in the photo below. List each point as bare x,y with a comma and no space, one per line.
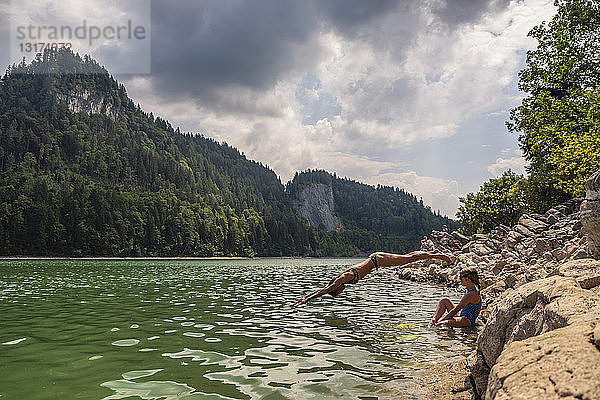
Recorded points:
395,88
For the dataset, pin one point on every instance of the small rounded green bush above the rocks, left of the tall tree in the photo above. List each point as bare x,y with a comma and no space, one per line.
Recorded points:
495,203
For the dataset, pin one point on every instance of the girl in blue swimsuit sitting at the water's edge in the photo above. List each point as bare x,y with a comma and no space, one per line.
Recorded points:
469,306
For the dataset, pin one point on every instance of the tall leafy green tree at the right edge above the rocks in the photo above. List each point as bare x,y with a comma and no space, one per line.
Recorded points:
558,122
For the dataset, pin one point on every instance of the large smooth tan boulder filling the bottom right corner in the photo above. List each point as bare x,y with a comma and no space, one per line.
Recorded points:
559,364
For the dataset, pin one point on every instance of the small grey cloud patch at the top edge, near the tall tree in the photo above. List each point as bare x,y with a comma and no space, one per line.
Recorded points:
456,12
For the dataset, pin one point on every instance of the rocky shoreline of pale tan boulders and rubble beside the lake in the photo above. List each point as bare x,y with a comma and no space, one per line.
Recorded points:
541,306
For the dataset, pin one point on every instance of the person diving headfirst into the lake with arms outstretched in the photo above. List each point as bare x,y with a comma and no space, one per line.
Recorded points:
358,271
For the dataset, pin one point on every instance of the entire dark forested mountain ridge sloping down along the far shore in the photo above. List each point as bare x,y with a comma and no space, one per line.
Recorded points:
85,171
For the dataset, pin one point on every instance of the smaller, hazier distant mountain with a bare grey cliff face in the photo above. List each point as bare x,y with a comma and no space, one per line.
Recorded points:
383,217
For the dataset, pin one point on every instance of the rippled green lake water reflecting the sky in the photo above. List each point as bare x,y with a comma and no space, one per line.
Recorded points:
212,329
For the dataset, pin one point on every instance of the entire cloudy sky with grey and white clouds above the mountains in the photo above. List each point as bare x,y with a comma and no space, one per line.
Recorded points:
409,93
